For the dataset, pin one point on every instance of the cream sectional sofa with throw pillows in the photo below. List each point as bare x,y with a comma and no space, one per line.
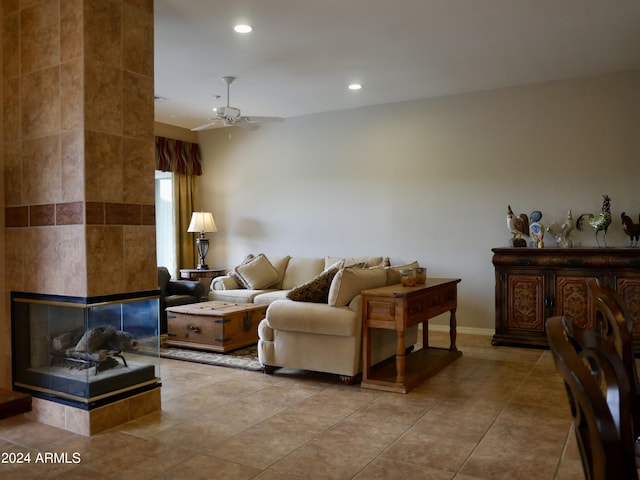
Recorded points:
314,318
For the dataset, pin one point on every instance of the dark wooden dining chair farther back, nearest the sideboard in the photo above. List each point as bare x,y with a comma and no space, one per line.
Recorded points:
615,322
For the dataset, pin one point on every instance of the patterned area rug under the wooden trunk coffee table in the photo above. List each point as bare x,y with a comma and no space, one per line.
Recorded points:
243,358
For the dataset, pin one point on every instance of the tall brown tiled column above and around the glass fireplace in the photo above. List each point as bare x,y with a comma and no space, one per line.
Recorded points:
78,153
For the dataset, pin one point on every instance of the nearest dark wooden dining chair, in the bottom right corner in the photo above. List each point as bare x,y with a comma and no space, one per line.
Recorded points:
597,386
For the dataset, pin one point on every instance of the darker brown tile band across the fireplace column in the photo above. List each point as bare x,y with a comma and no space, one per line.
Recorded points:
73,213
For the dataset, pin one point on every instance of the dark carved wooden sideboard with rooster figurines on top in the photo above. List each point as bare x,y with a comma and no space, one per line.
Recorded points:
533,284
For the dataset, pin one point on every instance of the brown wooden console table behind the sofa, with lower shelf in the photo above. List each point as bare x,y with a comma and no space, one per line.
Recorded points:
396,308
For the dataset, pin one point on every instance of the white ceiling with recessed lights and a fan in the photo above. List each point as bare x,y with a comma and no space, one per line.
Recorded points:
302,54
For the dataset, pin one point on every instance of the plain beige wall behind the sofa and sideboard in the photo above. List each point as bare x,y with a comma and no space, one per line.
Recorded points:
427,180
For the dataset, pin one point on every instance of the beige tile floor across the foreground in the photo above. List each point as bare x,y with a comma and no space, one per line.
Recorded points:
496,413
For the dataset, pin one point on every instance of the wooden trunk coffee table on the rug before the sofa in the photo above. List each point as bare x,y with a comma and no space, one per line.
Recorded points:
215,326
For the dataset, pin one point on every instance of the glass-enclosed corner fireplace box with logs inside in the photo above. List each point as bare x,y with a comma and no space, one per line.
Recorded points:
85,351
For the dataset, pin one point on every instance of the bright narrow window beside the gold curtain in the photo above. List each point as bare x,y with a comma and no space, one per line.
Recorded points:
165,224
